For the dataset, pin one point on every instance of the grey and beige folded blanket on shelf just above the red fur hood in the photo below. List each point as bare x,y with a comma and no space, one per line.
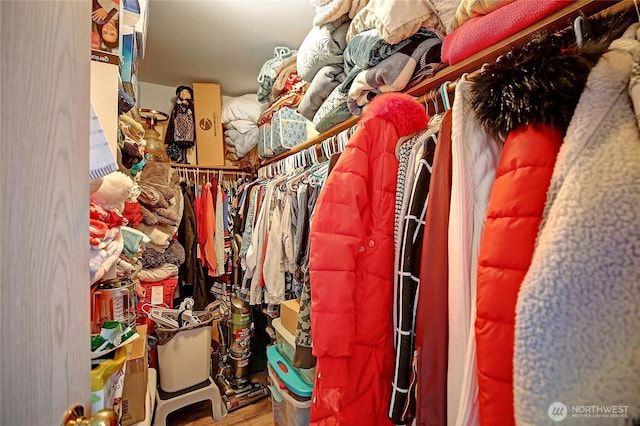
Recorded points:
394,73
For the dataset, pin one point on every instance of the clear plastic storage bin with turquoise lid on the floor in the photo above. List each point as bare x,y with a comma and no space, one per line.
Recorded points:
291,398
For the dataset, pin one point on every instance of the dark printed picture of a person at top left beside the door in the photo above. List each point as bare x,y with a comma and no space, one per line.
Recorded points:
105,31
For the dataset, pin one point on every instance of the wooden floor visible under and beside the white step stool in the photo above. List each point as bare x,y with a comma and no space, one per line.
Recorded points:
257,414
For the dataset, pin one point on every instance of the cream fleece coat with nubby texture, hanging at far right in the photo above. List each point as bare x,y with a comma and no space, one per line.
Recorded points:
578,312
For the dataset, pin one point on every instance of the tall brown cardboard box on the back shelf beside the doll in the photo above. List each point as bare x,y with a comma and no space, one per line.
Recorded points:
207,103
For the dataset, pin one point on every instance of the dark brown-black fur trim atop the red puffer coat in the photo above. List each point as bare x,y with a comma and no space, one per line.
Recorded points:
541,82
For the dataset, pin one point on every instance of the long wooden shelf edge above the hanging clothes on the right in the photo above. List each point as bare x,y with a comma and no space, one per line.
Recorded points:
559,20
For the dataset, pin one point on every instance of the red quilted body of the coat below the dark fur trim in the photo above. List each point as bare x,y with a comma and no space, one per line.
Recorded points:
514,214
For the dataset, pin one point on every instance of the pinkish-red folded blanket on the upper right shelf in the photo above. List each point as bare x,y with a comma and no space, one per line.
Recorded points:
484,31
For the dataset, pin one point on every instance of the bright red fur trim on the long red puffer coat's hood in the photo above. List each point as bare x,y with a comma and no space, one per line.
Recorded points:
407,115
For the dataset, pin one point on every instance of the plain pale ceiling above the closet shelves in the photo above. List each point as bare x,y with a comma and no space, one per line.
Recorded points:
222,41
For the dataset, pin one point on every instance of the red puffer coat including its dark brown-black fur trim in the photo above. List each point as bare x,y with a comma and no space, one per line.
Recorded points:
533,137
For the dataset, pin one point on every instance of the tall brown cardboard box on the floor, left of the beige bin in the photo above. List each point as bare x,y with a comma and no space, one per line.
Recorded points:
135,379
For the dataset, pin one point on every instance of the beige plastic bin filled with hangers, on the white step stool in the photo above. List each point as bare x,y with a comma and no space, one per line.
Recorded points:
184,354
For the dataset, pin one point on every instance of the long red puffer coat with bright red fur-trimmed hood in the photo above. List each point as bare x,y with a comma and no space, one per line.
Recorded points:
351,269
